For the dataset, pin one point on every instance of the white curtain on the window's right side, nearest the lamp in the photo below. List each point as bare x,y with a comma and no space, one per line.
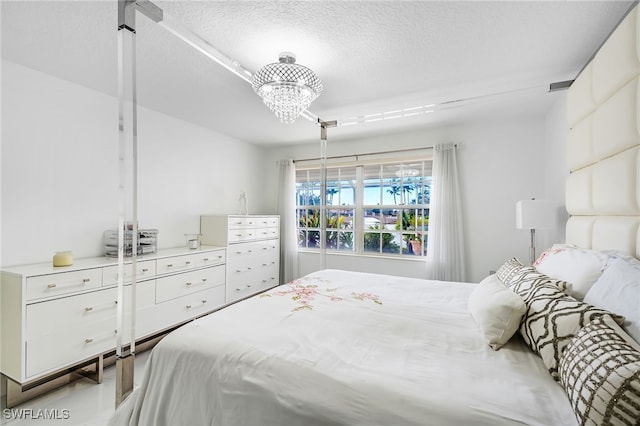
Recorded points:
445,245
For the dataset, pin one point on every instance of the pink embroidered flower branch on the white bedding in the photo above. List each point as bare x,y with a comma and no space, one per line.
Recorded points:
303,294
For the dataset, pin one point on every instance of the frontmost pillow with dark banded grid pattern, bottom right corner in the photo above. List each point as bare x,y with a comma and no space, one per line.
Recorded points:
600,371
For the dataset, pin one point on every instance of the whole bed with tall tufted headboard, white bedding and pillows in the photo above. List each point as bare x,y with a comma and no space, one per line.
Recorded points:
551,344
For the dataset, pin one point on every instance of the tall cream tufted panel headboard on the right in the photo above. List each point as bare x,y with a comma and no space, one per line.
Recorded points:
603,147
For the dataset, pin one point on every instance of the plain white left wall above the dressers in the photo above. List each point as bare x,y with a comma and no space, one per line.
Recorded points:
60,170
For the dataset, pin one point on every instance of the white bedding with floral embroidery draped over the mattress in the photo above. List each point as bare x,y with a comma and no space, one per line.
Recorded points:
365,349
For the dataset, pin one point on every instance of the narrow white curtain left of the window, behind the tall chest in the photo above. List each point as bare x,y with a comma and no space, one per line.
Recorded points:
287,212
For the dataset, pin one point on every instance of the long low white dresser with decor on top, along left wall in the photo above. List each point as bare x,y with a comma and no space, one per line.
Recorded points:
54,318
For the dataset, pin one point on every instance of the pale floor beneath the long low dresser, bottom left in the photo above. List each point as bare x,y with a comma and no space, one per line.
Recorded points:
79,403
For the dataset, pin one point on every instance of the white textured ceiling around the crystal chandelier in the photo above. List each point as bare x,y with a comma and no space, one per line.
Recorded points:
372,56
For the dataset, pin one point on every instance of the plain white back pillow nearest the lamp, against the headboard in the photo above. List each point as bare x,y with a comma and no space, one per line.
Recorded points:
580,267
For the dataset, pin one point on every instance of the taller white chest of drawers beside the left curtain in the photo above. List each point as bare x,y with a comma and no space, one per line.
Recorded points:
253,251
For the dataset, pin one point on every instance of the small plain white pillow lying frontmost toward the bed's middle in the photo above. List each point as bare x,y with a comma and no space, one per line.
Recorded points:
497,311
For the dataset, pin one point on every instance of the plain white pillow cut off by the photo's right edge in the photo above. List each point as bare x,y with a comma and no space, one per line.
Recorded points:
618,291
